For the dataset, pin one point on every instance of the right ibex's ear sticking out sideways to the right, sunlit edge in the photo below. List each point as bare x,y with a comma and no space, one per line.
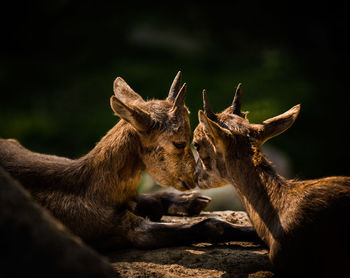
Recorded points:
276,125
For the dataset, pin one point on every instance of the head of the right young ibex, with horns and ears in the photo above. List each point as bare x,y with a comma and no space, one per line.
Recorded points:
226,141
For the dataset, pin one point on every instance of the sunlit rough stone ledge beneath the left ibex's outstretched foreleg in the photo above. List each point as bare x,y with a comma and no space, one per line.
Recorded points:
229,259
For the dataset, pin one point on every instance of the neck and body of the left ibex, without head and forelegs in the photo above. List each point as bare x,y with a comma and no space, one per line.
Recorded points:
89,188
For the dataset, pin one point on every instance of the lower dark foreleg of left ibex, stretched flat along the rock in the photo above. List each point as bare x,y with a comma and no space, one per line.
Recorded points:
131,230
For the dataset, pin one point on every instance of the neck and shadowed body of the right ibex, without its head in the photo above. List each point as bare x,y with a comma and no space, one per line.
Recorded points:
303,223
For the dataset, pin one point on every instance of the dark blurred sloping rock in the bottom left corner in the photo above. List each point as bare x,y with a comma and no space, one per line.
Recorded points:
34,244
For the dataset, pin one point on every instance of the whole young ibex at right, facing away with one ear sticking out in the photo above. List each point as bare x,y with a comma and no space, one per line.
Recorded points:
304,223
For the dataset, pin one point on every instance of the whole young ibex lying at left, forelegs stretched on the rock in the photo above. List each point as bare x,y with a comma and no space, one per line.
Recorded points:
96,196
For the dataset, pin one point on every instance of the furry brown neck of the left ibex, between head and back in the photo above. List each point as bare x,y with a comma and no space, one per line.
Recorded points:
114,166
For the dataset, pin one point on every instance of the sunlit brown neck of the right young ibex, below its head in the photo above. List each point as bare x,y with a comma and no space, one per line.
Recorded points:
261,190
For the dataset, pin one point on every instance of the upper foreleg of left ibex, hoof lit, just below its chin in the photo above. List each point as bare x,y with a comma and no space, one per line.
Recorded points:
170,203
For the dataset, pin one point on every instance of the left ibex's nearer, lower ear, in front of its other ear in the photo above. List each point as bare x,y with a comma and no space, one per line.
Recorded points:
138,118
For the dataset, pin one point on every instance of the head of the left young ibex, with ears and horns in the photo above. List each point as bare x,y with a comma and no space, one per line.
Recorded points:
163,127
